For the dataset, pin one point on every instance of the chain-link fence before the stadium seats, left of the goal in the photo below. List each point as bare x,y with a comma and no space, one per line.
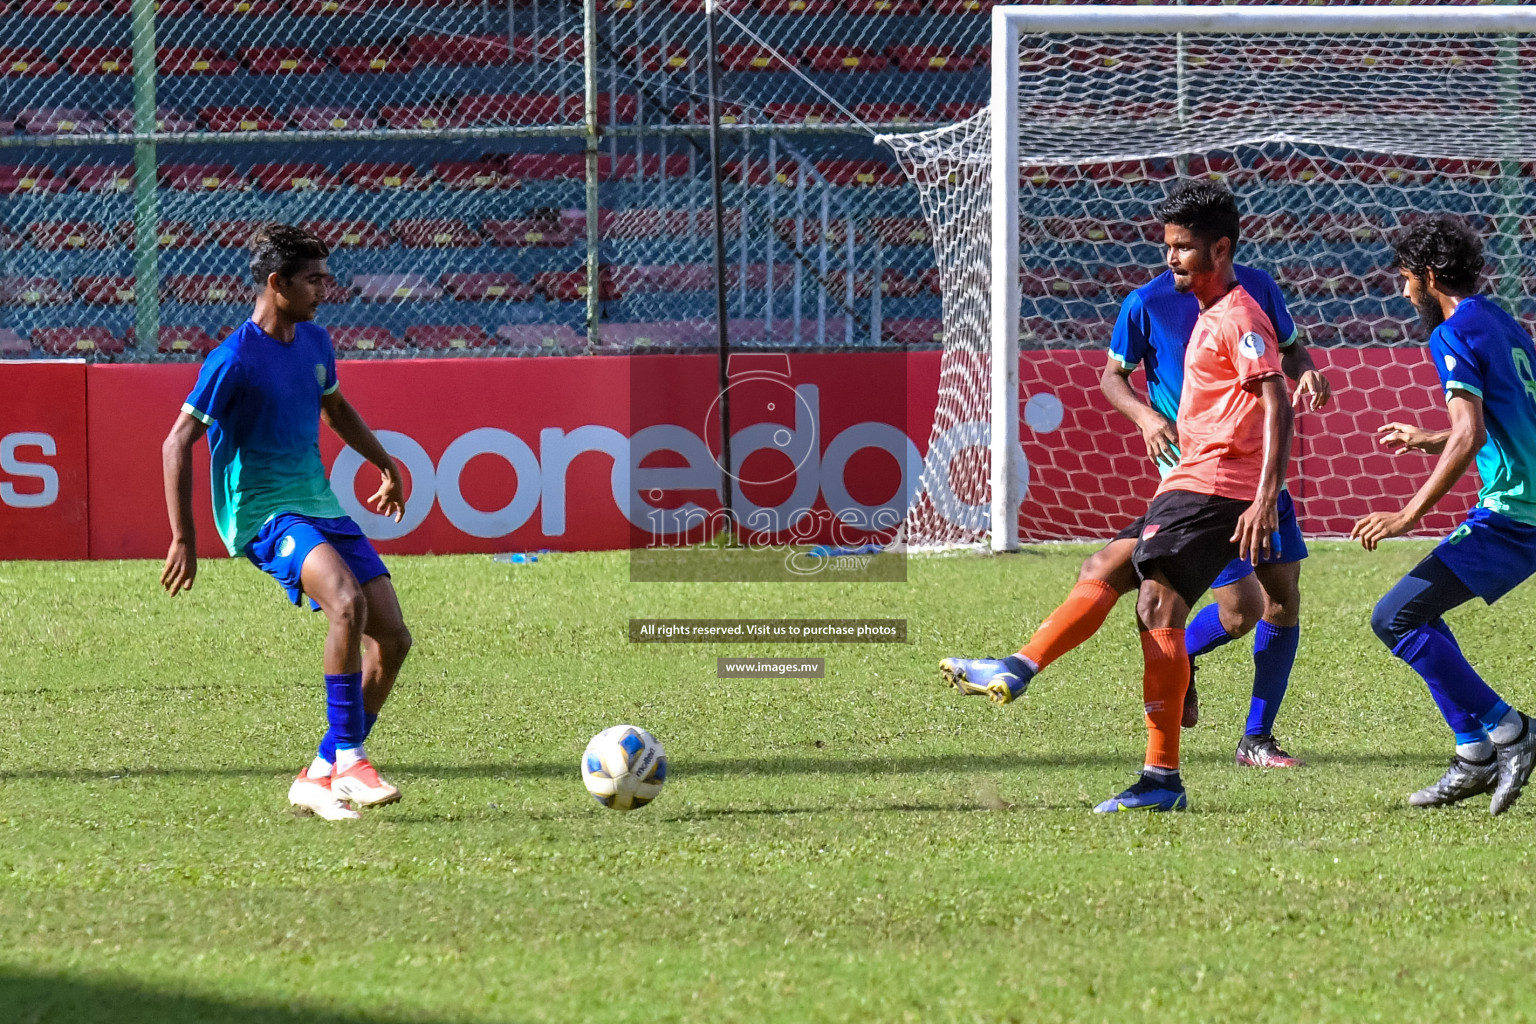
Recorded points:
443,150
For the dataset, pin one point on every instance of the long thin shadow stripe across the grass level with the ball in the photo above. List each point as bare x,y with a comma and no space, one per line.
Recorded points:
959,764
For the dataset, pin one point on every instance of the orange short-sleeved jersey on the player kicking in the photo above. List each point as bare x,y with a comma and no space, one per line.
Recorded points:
1220,418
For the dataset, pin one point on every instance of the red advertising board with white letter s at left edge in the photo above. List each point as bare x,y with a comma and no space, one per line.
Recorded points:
44,495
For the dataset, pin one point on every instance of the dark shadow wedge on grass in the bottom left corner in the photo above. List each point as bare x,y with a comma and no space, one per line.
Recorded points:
64,1000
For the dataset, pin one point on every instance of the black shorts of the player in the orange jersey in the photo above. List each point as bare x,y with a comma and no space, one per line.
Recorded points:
1187,538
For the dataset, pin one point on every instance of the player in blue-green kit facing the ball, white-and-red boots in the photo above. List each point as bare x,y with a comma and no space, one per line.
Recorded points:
260,398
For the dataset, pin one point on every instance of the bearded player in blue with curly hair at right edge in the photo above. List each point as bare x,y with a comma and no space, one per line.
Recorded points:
1488,368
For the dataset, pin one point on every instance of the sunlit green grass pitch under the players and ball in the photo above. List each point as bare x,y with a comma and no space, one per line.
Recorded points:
861,848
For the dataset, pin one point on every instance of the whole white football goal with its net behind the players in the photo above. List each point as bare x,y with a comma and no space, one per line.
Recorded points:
1334,127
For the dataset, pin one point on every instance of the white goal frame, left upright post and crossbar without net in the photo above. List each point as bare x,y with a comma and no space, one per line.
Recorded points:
1013,22
